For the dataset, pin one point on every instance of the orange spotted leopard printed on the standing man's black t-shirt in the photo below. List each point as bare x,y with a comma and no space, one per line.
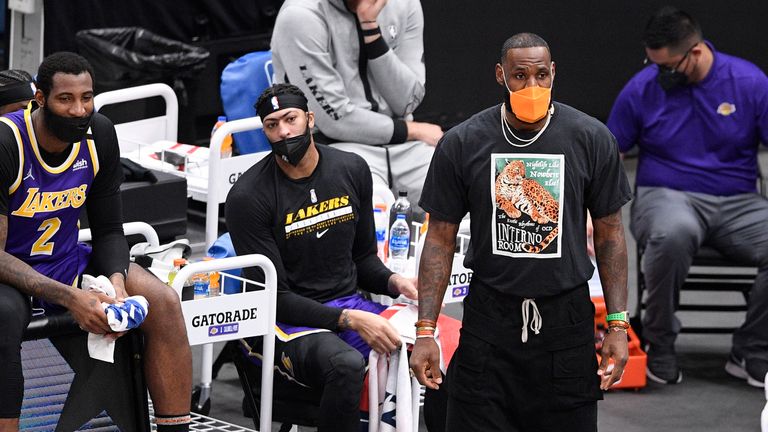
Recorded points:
516,194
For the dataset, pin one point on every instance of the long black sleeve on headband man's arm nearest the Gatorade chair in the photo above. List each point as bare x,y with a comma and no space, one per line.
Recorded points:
249,226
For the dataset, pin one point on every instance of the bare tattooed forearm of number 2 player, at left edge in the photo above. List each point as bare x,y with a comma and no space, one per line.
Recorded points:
24,278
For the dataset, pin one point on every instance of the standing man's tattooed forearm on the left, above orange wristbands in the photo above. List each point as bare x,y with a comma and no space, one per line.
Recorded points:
435,267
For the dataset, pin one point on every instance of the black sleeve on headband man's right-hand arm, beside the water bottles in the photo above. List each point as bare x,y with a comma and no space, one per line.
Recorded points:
372,275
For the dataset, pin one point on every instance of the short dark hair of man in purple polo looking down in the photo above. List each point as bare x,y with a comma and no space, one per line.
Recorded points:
672,28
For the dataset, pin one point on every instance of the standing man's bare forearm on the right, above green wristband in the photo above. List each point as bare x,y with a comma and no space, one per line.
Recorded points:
611,254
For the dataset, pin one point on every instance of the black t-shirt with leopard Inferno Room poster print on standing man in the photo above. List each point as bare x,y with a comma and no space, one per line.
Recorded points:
527,204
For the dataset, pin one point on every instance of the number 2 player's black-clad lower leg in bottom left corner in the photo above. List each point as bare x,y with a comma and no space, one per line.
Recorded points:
15,313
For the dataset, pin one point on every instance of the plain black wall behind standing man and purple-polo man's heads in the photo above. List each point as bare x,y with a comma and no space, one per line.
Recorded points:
595,45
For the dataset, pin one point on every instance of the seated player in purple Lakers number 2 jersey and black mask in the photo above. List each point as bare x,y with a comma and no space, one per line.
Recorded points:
54,160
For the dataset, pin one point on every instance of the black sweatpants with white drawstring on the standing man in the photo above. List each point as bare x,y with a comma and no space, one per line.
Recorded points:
498,383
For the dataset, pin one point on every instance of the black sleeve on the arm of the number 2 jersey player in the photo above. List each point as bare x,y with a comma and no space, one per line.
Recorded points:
104,205
